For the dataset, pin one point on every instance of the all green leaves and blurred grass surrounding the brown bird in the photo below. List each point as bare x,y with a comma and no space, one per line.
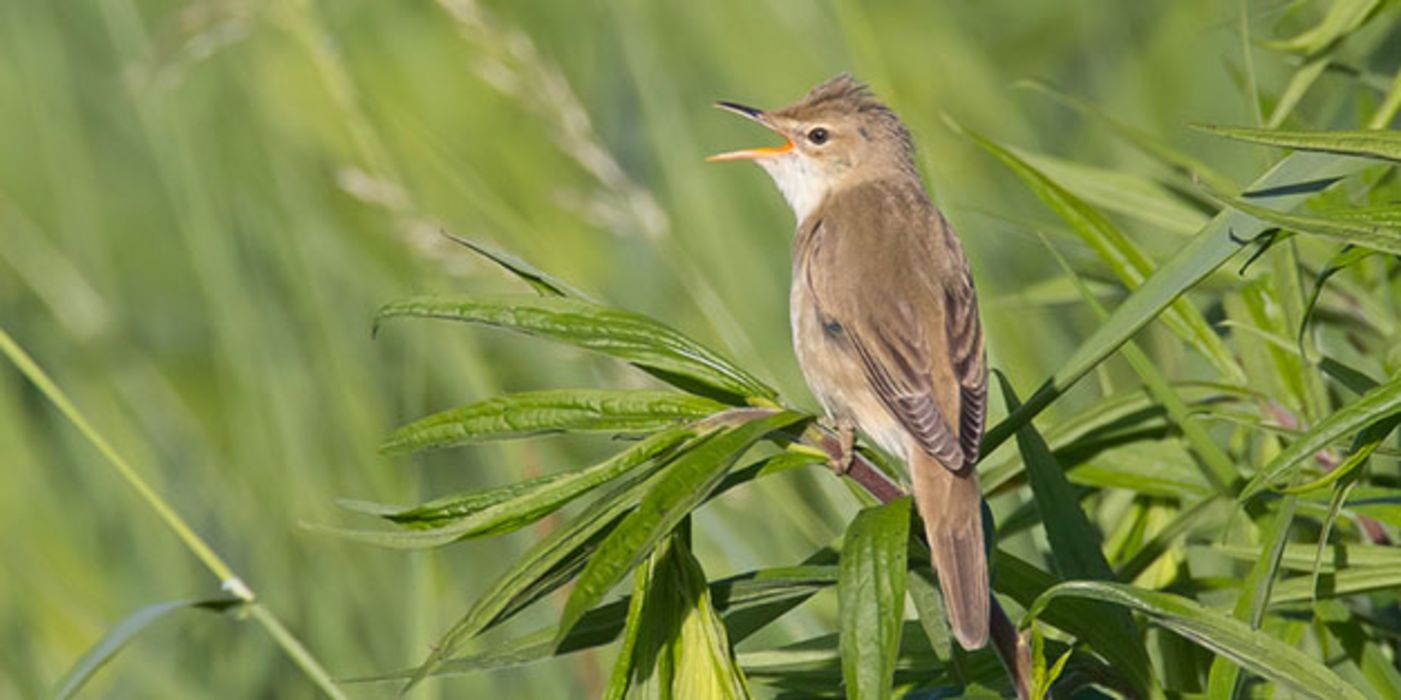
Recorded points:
1210,514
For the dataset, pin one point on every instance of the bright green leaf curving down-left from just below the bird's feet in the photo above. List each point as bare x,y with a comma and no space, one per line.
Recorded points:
682,486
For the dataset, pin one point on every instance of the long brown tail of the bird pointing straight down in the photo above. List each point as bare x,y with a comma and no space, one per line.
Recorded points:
952,507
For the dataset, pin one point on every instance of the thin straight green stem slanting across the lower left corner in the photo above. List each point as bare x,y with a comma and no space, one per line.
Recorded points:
229,580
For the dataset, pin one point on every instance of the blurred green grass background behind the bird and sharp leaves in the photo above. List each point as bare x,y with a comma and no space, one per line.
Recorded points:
204,202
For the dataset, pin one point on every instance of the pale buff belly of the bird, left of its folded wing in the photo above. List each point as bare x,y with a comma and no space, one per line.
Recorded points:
834,374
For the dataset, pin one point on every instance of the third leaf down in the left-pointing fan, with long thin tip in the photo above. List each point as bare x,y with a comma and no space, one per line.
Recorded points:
509,509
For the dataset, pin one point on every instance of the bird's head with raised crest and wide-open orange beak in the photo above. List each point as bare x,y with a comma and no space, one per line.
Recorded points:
836,136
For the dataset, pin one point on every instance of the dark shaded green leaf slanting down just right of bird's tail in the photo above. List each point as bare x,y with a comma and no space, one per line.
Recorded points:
1075,547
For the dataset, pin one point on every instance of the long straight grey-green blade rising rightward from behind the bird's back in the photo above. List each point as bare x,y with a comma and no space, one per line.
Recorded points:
1285,187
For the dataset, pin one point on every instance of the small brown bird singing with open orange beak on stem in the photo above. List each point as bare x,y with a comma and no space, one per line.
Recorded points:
885,317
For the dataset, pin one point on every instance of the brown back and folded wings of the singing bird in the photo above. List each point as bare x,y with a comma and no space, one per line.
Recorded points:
923,373
